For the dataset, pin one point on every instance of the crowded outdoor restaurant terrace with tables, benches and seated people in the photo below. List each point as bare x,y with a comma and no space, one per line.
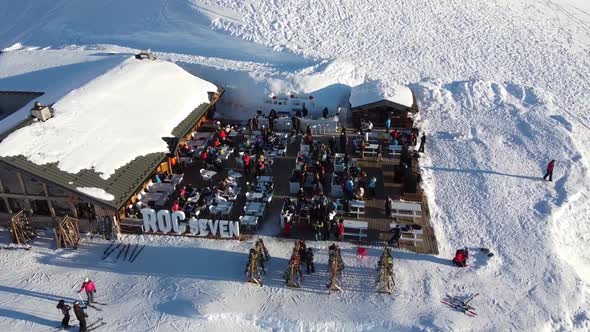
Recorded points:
349,188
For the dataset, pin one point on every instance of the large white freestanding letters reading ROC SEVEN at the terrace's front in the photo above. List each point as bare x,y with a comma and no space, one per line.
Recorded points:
165,221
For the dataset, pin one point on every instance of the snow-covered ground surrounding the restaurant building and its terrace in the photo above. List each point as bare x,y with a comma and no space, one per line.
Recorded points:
502,87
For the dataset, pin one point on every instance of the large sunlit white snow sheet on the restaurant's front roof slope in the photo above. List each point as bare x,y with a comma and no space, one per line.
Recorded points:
113,119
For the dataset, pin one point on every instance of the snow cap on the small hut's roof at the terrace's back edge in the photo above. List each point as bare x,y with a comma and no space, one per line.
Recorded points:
374,91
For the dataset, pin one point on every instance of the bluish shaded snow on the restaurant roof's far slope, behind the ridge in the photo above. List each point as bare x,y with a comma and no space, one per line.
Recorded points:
53,72
